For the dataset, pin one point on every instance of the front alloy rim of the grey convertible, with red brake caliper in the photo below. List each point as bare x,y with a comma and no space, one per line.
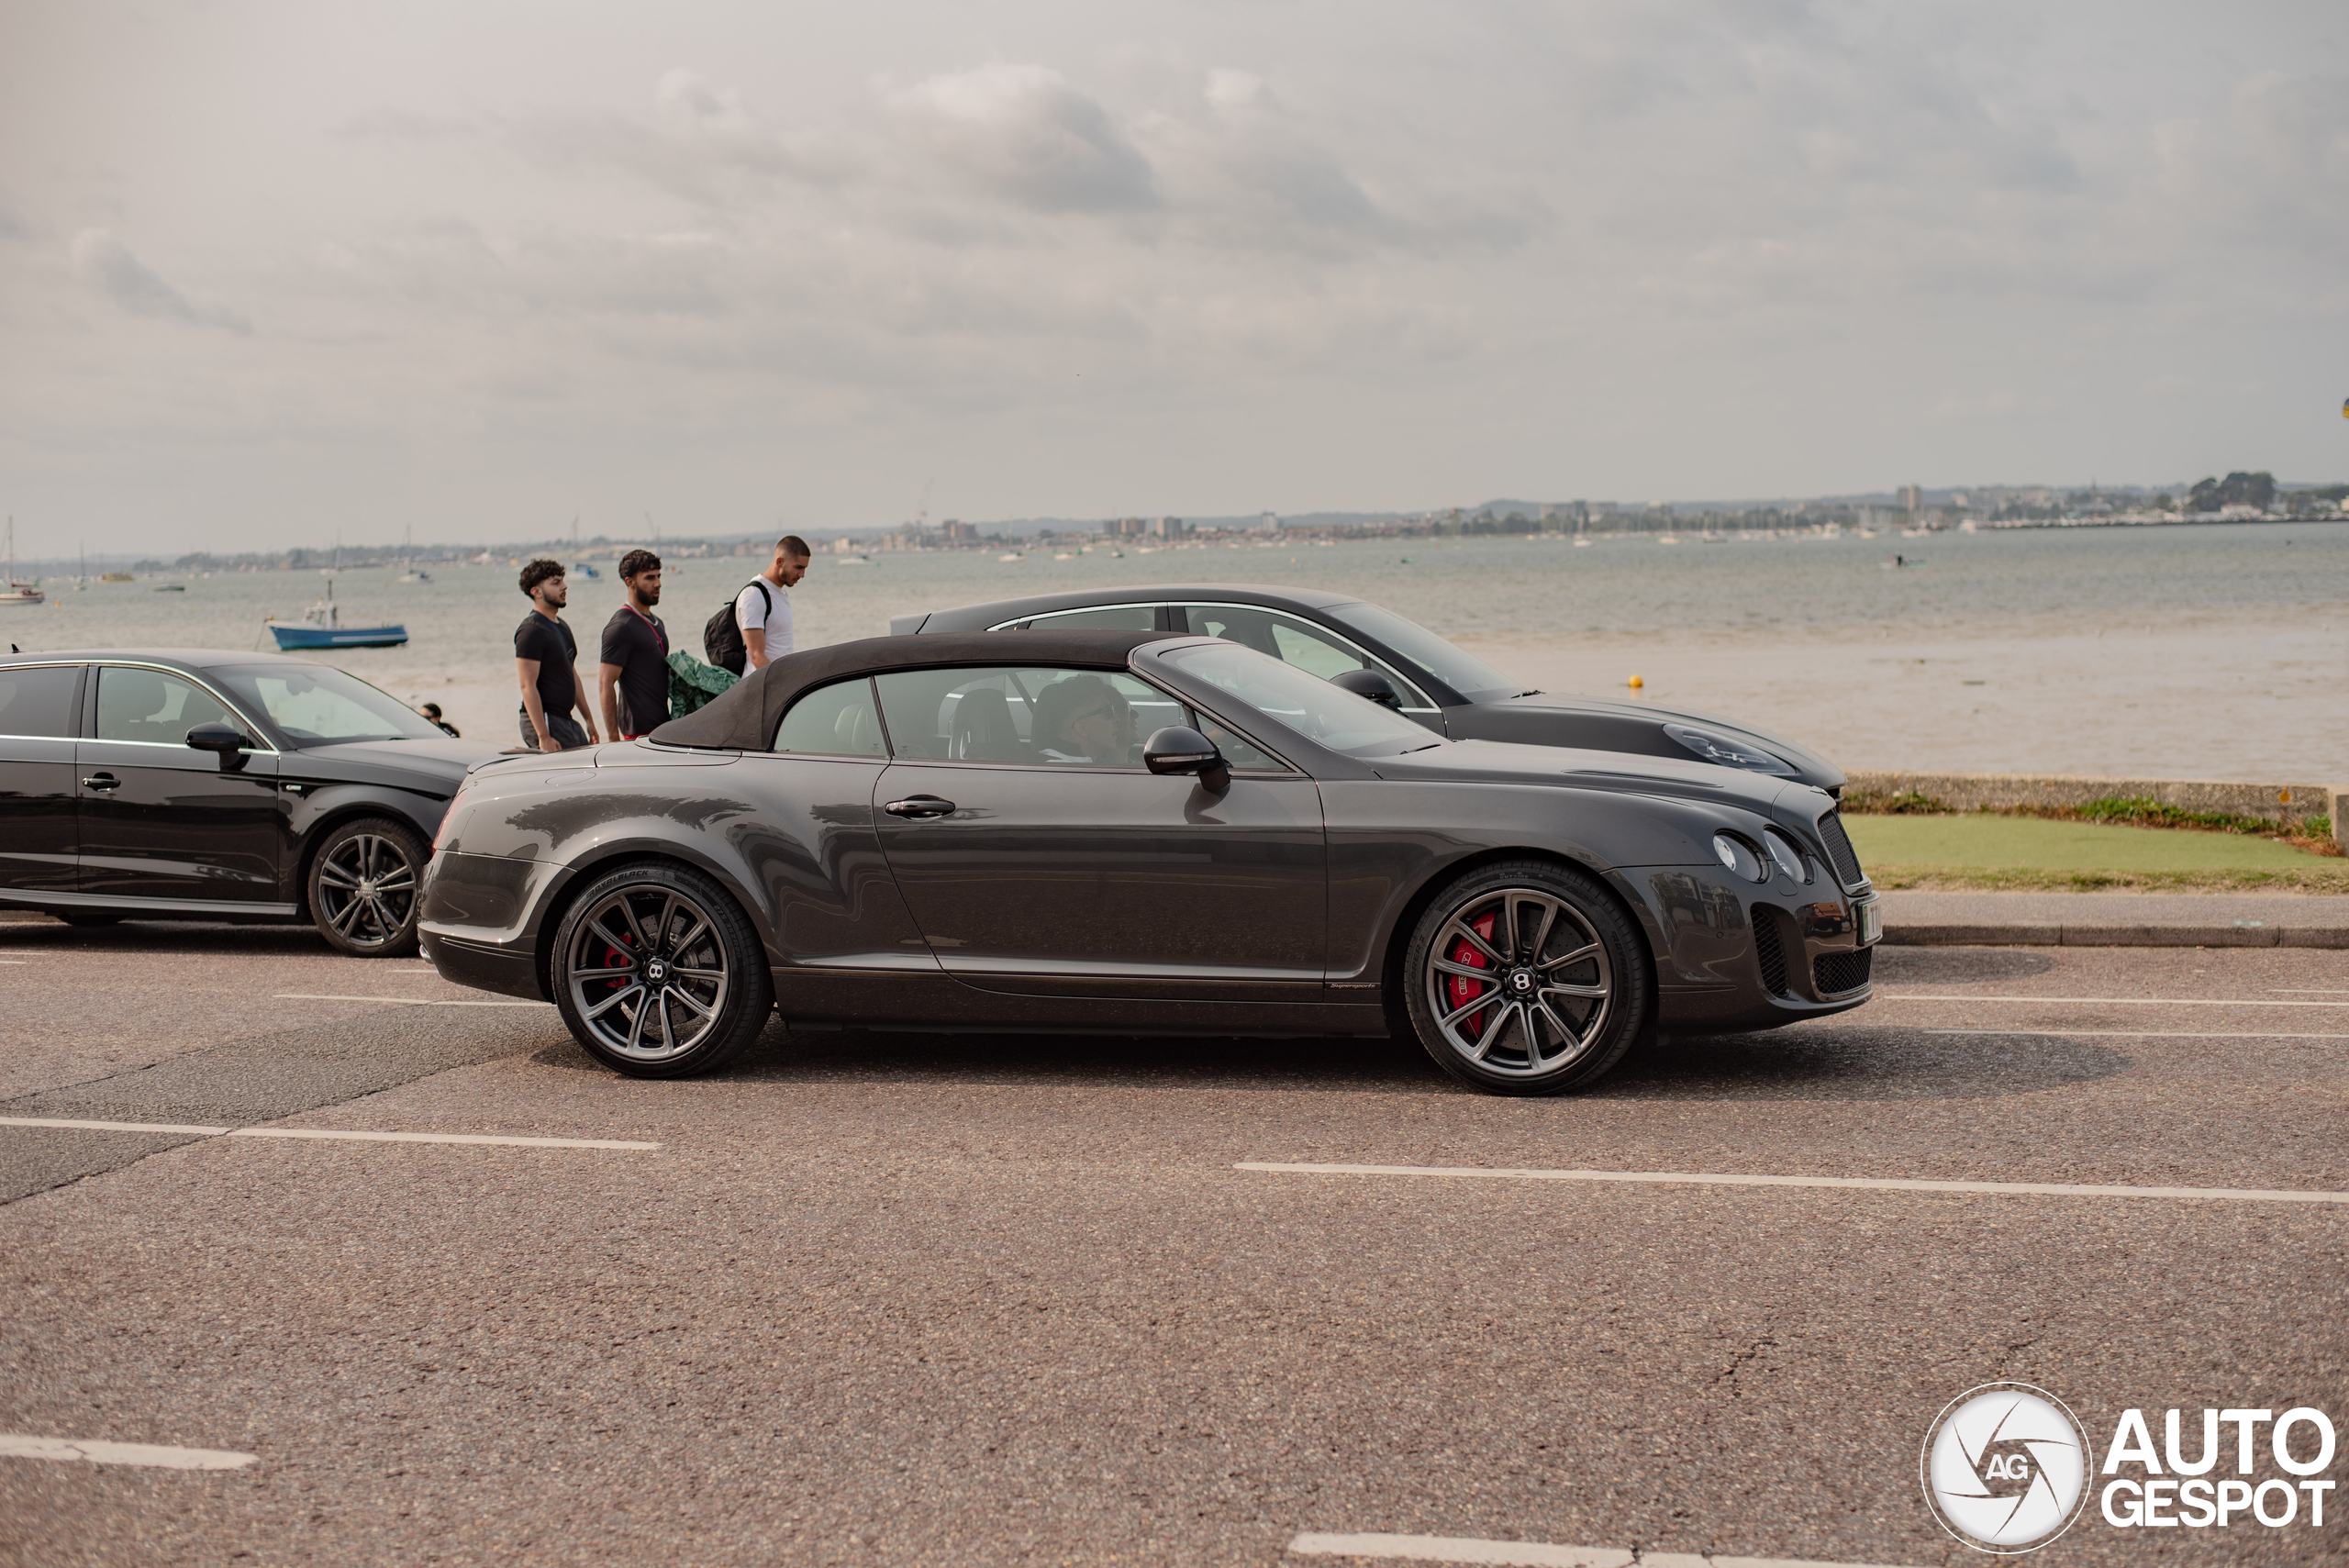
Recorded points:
1519,982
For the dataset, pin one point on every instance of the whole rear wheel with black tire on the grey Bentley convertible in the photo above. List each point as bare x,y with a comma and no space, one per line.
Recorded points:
659,973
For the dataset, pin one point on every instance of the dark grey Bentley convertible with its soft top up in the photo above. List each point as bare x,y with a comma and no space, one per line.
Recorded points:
1131,832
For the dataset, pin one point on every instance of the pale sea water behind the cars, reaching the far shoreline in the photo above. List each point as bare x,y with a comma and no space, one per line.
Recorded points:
2181,651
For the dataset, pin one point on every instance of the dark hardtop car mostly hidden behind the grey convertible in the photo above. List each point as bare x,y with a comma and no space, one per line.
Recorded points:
1446,689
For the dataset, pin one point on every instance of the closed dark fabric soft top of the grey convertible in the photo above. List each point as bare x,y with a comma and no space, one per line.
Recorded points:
746,717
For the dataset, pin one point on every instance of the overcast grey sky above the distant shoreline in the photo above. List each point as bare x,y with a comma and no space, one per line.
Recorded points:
476,269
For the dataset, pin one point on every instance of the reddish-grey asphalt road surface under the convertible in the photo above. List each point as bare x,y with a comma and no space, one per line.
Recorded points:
913,1299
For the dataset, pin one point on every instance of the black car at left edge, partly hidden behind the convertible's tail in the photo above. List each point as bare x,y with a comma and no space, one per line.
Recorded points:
187,785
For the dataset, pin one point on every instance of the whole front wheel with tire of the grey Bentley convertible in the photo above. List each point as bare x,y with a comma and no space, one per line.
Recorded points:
1568,987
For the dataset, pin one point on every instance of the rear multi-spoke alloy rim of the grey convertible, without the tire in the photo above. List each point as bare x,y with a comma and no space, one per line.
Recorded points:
647,973
